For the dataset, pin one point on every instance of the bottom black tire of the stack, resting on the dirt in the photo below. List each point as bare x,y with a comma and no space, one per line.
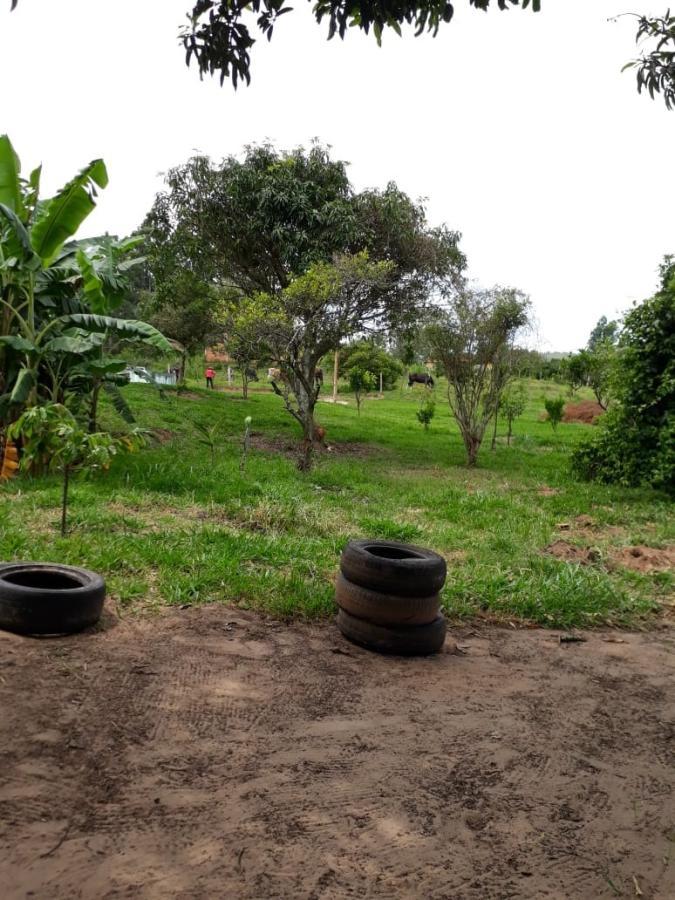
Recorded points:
409,640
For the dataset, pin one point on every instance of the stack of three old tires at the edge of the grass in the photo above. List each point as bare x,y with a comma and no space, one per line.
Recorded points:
389,597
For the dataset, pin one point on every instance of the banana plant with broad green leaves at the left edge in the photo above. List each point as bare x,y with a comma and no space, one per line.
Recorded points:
56,294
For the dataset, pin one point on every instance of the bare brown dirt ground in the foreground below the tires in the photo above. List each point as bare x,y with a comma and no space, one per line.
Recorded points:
210,753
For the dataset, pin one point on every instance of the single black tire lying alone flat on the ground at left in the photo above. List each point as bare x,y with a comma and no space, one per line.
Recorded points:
48,598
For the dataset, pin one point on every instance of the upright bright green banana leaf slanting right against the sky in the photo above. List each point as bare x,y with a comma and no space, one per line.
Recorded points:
60,218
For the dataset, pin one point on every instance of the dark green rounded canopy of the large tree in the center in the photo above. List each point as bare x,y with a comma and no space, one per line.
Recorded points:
259,222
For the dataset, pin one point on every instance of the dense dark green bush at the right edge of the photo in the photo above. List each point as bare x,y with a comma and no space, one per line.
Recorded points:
635,443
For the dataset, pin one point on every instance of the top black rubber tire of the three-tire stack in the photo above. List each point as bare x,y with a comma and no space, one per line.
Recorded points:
392,568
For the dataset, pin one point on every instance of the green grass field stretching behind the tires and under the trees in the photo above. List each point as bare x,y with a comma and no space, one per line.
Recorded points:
165,526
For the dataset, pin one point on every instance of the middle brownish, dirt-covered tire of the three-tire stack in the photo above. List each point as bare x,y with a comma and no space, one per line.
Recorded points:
385,609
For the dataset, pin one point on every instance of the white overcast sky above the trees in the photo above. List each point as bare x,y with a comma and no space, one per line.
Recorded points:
518,128
